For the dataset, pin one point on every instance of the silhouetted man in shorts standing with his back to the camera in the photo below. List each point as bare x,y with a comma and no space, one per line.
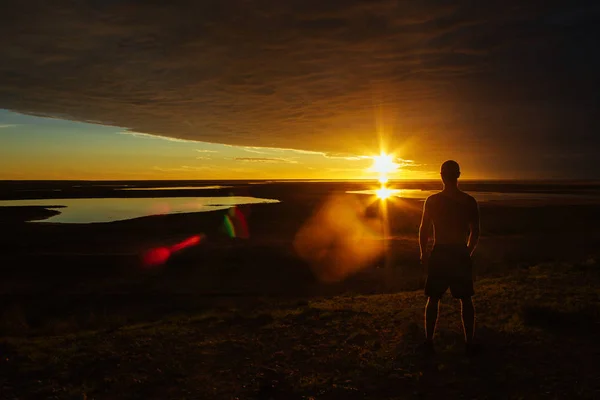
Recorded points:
455,218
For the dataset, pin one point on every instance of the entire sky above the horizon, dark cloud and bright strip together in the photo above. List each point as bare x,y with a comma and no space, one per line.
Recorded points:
301,89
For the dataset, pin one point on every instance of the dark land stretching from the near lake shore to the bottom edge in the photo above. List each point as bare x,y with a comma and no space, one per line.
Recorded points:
82,317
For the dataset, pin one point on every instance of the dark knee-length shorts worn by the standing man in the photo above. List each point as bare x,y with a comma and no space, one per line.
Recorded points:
450,266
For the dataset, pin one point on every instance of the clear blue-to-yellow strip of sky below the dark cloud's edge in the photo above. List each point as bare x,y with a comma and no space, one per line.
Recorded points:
55,149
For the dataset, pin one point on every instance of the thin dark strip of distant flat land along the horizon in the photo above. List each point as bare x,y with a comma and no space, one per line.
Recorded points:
66,190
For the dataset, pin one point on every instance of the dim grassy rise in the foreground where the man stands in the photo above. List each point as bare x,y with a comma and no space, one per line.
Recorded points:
539,328
